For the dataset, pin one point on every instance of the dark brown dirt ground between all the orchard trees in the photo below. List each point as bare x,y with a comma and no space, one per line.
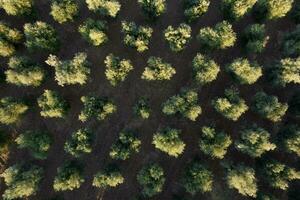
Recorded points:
127,93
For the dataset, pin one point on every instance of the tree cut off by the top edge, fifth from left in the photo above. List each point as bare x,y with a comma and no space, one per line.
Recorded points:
193,9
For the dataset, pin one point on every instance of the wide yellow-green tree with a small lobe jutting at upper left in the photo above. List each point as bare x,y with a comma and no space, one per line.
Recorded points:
70,72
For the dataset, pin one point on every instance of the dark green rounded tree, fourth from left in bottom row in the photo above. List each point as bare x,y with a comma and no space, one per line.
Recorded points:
151,178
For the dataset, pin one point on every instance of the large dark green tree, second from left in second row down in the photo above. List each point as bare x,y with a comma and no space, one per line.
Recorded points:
41,36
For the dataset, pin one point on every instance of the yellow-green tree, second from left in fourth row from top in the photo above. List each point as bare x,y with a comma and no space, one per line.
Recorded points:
52,105
